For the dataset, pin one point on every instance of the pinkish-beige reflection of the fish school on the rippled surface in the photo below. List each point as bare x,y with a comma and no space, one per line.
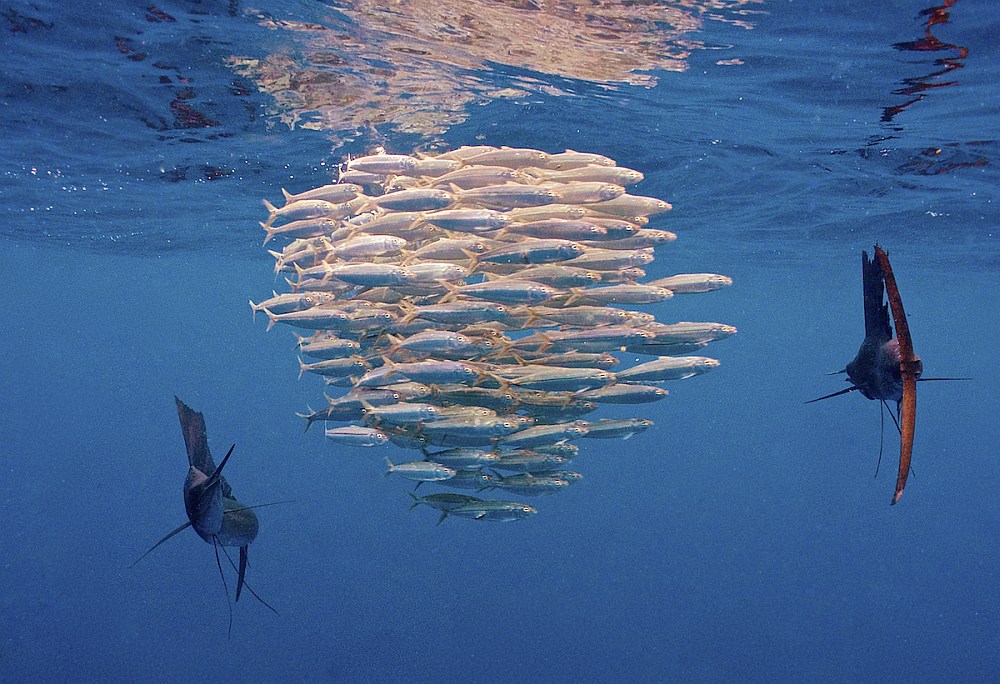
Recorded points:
432,59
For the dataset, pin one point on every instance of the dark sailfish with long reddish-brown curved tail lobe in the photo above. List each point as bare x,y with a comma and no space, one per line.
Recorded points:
886,367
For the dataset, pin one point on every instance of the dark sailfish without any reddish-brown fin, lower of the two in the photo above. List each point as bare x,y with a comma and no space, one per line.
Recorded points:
212,509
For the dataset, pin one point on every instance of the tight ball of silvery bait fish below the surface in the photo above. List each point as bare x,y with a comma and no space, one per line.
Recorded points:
468,306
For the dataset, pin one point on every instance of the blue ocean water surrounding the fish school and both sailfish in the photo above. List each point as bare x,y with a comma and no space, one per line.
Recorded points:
742,538
